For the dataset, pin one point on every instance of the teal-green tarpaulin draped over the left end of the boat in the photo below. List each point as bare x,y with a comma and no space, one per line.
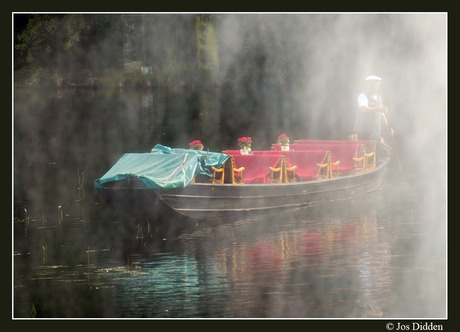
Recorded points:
163,167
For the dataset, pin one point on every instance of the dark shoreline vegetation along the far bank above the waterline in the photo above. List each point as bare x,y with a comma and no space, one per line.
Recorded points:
145,51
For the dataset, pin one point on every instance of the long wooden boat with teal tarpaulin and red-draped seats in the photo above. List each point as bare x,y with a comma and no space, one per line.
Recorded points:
198,186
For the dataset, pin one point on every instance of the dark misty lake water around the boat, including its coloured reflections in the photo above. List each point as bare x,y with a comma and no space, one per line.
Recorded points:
75,258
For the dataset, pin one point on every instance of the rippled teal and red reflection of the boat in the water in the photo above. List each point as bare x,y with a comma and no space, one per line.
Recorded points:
316,266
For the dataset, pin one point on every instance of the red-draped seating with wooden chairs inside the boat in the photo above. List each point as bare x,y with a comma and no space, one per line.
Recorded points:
306,160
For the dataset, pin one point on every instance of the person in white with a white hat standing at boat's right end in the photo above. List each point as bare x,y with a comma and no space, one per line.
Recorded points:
370,116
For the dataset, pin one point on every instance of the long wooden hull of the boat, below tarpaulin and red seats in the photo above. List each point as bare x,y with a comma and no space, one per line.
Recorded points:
206,201
